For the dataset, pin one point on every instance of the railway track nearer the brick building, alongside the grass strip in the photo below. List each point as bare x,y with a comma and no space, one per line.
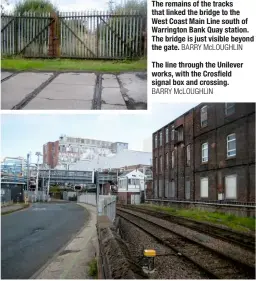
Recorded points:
240,239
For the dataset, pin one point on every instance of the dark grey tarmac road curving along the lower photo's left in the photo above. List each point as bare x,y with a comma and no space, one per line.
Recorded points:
32,236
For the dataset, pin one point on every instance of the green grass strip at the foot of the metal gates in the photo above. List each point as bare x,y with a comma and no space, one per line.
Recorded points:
71,65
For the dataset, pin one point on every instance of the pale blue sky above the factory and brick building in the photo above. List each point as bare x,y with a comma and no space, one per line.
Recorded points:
24,133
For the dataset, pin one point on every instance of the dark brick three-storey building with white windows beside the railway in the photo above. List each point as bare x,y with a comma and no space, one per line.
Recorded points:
207,154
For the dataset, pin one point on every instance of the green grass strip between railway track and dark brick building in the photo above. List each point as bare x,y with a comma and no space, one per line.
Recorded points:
244,224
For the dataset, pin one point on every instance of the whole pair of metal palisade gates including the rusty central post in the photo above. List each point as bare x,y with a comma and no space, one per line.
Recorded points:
88,35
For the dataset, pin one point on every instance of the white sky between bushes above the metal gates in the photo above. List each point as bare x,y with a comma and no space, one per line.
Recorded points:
73,6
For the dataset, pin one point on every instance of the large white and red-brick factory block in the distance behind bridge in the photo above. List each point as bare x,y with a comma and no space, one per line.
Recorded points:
68,150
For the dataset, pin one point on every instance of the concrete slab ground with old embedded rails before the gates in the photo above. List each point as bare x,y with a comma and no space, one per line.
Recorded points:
73,90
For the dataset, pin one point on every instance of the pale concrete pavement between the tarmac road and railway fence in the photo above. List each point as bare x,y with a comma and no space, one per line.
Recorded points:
72,261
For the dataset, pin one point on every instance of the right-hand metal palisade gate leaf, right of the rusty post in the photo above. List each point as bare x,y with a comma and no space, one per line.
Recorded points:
101,35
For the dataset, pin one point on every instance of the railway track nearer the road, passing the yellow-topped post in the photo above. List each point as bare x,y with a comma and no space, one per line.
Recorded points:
214,263
